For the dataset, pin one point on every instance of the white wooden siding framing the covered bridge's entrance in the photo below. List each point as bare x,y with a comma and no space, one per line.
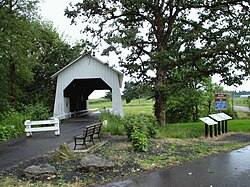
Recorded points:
87,67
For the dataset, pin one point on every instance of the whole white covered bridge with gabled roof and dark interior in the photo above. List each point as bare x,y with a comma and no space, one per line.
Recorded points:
77,80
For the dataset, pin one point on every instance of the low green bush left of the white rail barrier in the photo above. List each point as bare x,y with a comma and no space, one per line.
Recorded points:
11,124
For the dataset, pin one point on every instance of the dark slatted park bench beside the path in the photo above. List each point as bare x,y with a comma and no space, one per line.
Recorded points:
91,131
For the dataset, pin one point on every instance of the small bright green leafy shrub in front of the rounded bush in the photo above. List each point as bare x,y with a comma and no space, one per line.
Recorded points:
139,140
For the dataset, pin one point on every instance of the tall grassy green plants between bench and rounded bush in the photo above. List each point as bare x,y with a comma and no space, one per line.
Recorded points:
114,125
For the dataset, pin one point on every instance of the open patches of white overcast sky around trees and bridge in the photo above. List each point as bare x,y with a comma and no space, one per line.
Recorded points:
53,10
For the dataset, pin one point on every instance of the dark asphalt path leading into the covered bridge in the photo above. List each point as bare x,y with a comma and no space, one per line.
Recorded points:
22,148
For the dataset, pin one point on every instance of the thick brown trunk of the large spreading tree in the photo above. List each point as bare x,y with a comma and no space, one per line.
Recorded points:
160,97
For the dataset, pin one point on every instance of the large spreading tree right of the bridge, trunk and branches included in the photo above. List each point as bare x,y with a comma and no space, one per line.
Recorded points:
160,35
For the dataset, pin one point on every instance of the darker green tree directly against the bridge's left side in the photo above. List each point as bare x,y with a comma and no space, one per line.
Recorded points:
53,53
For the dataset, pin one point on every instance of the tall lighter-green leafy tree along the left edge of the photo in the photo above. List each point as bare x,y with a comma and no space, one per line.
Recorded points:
16,47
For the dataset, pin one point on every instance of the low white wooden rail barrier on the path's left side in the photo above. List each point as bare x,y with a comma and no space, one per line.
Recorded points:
42,126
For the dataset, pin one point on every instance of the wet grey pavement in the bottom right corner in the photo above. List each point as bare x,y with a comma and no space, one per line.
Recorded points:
228,169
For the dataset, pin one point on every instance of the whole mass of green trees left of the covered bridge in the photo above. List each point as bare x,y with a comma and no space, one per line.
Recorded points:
31,51
